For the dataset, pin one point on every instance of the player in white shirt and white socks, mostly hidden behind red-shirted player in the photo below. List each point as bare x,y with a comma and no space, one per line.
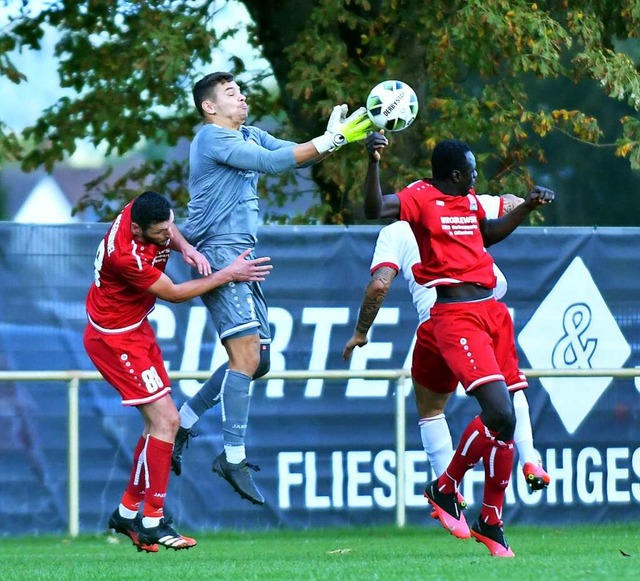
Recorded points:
396,251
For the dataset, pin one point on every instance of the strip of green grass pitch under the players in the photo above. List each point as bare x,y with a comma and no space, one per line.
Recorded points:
542,554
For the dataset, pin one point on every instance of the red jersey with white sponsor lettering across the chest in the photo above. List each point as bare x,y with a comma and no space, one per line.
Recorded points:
448,234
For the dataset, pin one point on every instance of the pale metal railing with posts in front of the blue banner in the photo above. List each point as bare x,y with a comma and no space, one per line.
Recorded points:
73,379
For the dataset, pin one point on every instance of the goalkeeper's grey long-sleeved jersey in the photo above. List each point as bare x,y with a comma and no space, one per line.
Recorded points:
223,178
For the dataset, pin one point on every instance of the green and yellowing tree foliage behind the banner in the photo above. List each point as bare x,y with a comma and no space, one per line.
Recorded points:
544,92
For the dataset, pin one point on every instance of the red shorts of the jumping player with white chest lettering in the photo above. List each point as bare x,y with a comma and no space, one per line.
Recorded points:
476,340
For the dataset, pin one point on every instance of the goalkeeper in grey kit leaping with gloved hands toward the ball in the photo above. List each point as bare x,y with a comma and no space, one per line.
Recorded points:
226,160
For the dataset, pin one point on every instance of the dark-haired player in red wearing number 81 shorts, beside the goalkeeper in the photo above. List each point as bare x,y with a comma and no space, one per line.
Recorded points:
129,277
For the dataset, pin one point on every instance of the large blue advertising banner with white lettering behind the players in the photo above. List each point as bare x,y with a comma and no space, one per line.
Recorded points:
325,448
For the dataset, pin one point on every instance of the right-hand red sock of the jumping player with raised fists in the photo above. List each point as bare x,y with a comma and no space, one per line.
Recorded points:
498,463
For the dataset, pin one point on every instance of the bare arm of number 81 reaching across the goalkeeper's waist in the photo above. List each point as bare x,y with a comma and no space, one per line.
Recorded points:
240,270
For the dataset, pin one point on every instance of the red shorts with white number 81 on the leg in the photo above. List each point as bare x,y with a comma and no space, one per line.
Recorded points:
131,362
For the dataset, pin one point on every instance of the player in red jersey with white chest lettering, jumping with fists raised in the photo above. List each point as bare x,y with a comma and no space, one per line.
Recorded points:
474,331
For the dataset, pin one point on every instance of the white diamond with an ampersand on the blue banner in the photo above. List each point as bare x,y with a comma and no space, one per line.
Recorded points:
574,329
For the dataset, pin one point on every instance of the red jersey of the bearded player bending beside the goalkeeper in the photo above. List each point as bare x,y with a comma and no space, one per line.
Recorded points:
124,270
